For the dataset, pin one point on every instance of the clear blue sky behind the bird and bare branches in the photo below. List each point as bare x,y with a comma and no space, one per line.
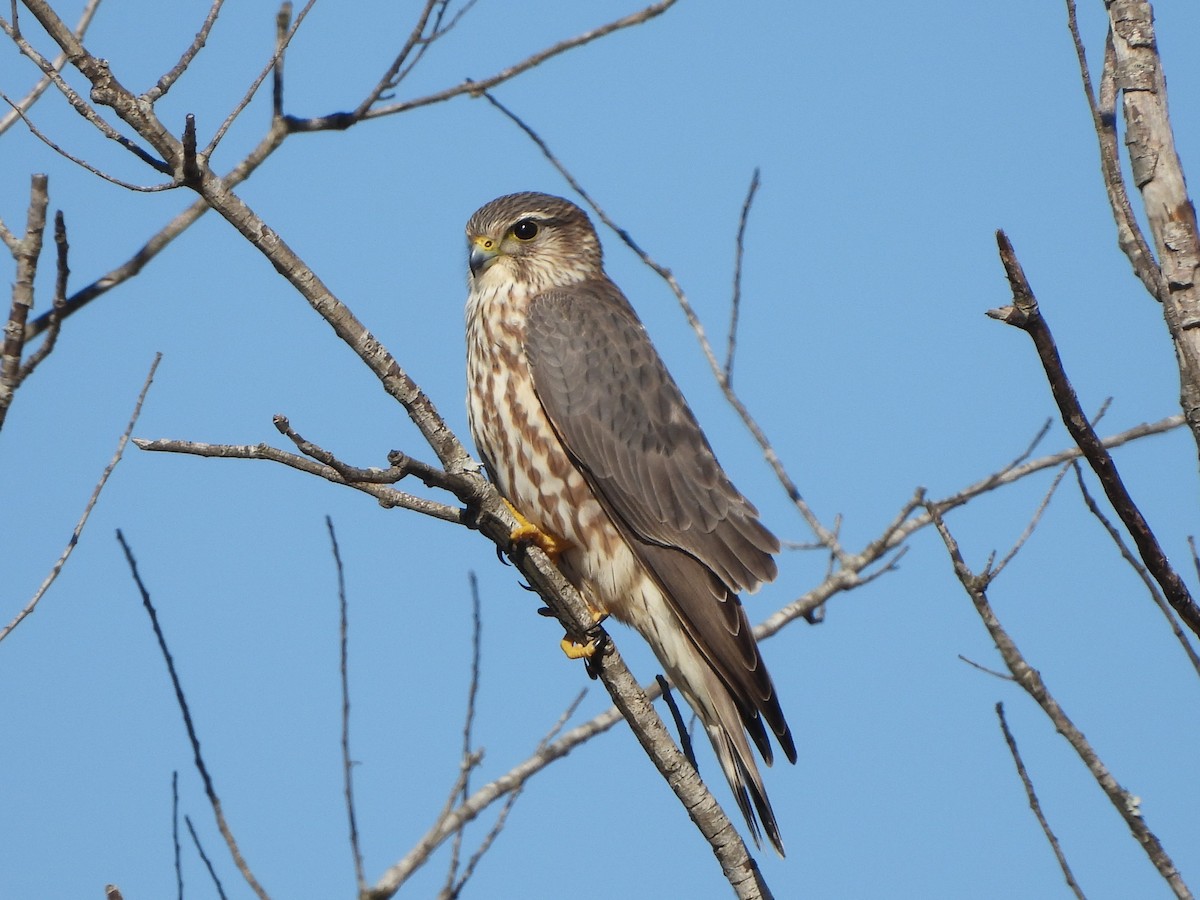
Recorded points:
893,141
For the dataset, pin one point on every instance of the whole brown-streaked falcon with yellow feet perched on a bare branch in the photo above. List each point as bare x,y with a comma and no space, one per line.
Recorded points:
586,434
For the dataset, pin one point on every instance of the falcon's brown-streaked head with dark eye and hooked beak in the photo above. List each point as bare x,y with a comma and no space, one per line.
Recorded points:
536,239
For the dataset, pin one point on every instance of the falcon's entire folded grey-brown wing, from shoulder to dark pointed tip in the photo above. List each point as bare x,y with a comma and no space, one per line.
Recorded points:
625,423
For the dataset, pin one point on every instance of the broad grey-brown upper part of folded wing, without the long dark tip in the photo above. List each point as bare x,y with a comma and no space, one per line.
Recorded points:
626,423
